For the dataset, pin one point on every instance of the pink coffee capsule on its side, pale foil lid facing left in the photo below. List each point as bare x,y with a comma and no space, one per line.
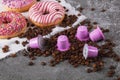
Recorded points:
90,51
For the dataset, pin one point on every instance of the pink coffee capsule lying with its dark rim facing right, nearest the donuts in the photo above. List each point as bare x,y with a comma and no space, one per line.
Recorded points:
37,42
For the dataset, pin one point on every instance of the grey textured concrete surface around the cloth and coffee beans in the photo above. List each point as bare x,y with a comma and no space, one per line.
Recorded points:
17,69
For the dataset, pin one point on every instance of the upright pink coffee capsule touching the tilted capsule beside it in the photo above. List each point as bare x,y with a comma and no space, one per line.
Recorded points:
82,33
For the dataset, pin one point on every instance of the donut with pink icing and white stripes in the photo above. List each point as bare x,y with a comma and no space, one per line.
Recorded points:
46,13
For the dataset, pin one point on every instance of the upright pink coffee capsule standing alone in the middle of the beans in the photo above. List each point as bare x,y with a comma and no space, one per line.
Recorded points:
63,43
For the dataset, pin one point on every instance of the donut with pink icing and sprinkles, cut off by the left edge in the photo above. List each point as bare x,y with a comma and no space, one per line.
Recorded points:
11,24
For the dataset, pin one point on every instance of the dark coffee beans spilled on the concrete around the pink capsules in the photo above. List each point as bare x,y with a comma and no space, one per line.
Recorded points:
74,56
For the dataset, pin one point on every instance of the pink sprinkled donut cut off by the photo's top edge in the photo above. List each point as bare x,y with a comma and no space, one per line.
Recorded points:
18,5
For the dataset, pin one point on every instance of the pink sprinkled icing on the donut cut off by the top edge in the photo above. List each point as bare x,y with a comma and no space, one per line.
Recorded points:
17,3
